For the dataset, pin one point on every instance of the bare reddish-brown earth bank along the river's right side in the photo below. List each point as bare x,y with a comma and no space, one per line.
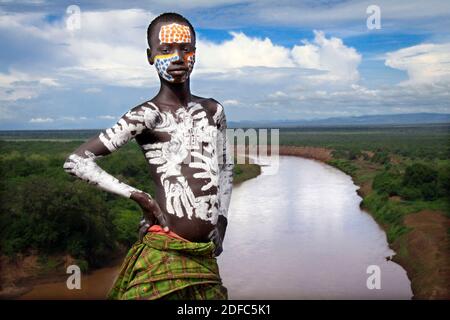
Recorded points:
423,251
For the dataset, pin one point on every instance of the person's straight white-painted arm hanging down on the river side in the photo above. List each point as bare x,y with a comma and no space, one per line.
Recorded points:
226,165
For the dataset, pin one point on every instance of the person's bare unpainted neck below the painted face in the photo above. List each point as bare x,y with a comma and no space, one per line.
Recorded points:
174,93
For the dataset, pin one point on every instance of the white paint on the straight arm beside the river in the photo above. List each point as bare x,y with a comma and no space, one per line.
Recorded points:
226,164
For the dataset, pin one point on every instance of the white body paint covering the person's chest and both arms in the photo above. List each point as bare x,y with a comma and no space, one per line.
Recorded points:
193,141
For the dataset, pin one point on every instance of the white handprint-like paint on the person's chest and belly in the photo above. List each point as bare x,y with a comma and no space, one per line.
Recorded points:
193,141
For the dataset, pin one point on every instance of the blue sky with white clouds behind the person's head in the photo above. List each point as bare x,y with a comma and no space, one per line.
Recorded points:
82,67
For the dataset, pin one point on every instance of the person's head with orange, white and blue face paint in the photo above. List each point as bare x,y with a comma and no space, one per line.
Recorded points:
171,41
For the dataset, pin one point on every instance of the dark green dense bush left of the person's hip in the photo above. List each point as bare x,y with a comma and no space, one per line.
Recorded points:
51,215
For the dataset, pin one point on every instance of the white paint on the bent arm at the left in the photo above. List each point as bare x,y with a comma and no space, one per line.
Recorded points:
129,125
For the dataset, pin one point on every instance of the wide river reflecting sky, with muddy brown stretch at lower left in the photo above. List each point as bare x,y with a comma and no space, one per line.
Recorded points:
296,234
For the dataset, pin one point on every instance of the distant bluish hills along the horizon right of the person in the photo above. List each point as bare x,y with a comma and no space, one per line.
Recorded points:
381,119
